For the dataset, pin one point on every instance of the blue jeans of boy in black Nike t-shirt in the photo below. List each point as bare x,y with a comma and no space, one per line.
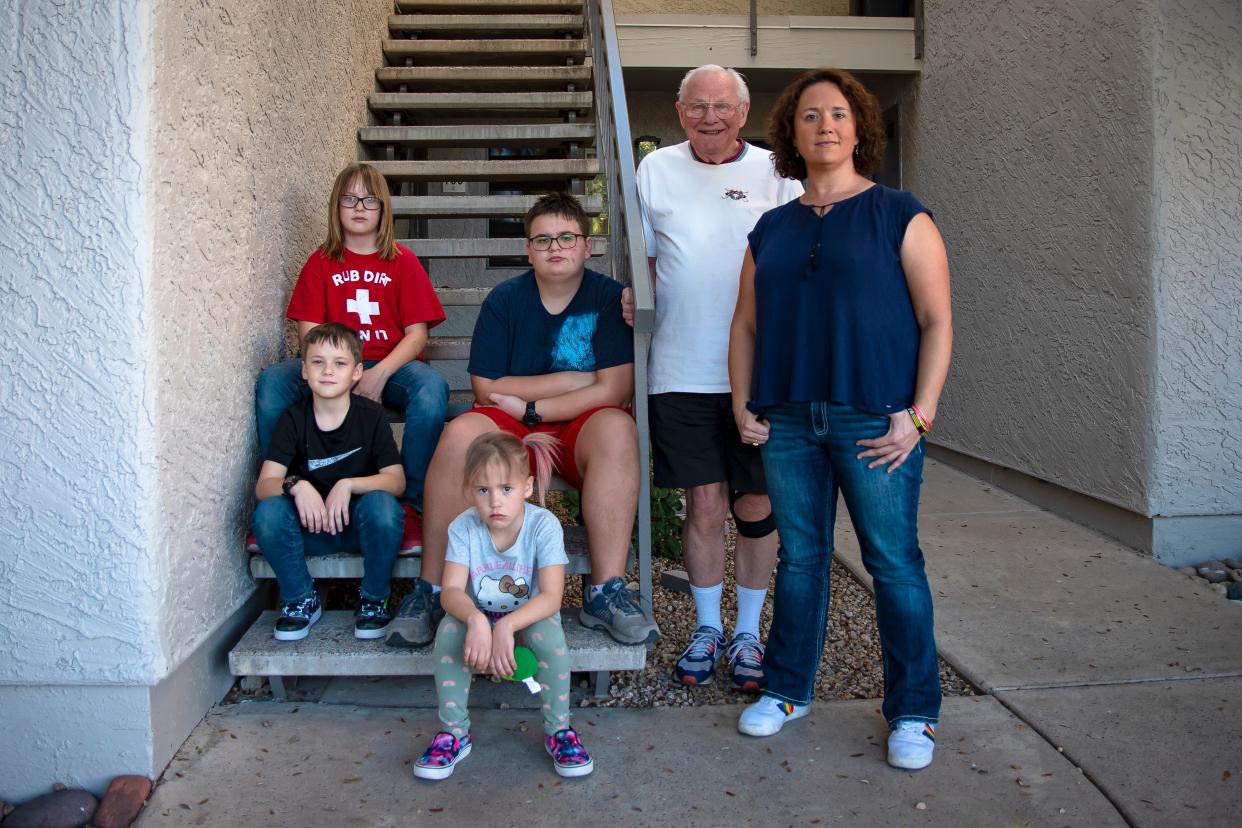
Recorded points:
376,526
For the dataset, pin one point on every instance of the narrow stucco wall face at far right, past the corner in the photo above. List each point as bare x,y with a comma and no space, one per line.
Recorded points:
1198,465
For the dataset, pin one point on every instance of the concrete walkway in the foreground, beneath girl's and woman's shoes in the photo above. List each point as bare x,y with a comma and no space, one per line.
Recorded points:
1115,690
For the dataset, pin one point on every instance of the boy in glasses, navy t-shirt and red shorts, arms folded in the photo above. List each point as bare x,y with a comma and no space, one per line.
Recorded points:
551,353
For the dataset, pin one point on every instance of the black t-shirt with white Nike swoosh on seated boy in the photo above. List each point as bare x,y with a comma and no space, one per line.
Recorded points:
361,446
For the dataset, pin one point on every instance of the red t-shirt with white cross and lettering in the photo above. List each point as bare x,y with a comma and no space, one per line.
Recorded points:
378,299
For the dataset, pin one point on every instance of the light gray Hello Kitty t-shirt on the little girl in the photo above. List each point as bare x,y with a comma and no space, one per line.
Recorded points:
502,583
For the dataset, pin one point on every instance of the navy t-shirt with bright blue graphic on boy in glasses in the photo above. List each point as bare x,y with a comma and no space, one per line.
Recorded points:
517,337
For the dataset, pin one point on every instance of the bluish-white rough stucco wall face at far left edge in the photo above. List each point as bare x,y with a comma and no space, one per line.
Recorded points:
79,587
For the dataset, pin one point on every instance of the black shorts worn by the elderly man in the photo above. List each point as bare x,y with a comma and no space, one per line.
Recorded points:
695,443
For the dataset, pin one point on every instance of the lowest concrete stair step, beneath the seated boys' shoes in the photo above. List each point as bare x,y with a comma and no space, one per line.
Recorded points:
332,650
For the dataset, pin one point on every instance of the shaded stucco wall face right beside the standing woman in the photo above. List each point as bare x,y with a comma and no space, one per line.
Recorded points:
1030,138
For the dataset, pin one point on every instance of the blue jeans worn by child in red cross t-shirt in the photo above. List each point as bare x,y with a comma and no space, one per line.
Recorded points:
415,388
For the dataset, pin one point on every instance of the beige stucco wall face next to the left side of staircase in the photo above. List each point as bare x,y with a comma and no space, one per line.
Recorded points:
256,109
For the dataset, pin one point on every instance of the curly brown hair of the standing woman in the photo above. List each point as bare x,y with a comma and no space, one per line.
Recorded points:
870,125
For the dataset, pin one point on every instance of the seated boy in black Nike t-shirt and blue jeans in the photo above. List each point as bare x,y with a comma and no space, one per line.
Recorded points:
330,485
